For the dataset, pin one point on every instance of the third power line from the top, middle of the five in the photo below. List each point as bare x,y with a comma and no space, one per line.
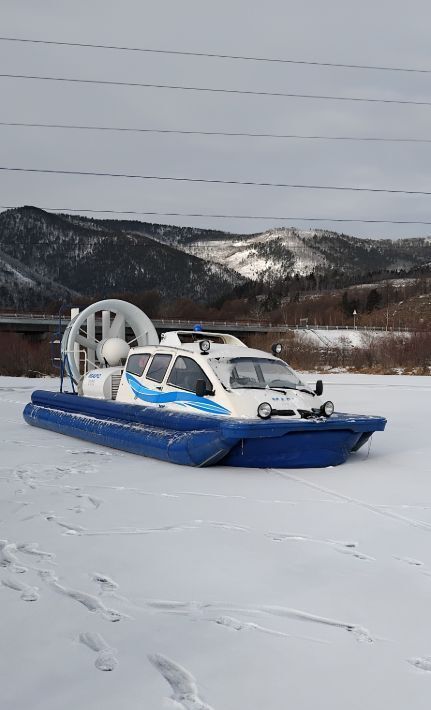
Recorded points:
235,134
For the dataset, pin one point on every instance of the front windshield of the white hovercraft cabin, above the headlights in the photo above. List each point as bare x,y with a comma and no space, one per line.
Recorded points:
255,373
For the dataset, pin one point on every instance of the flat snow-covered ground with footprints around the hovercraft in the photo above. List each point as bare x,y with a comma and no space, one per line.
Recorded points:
217,588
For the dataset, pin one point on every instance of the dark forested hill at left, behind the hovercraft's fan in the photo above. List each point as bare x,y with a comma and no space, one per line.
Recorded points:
93,258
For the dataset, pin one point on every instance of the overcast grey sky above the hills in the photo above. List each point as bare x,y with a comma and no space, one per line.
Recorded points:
383,32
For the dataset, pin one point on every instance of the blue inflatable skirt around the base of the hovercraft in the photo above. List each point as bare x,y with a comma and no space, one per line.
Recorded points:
203,439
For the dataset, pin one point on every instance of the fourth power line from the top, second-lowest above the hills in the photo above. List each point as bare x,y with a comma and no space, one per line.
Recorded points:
215,181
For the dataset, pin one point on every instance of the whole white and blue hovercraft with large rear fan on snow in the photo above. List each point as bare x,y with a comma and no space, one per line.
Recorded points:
195,398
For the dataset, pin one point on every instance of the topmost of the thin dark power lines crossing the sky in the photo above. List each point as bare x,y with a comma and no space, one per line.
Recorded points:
213,55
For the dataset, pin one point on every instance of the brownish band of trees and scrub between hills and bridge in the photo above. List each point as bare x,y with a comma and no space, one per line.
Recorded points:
384,304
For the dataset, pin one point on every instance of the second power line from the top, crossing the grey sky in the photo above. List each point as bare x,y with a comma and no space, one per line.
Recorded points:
213,90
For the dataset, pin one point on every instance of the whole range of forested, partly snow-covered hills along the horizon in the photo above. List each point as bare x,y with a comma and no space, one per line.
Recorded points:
101,257
